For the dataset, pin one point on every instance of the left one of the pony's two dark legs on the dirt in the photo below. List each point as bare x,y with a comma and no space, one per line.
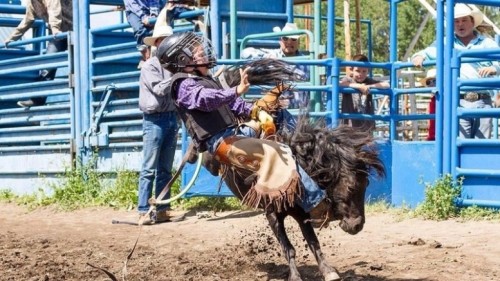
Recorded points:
277,223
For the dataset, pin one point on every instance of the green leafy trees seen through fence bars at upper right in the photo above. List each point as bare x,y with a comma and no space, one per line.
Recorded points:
410,16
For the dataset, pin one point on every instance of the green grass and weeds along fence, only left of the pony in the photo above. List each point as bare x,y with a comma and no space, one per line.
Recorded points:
84,186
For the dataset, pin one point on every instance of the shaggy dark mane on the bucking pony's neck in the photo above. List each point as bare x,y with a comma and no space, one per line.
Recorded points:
330,156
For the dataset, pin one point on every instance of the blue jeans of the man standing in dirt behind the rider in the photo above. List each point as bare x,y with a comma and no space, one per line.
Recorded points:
159,145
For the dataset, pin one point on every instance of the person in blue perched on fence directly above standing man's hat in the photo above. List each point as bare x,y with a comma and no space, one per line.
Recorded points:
141,15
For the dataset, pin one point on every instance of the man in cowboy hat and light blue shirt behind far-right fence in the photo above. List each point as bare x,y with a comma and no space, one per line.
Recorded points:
467,38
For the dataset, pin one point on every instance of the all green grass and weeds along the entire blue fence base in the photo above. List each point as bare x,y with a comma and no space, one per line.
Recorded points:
84,186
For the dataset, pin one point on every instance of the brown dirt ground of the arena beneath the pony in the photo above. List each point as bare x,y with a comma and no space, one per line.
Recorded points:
49,245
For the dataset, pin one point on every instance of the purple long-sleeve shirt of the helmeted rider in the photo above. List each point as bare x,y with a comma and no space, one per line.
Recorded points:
193,95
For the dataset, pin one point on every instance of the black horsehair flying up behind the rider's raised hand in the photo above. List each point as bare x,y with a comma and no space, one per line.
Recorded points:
263,72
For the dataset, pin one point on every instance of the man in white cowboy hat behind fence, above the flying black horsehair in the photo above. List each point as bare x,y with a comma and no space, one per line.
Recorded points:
289,47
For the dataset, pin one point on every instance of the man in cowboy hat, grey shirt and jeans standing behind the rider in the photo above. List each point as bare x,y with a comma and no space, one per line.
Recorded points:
160,127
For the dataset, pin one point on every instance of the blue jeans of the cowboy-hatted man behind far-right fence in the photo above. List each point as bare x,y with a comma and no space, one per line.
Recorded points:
479,128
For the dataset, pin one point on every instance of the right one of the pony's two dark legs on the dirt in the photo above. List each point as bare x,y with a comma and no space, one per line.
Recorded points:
328,272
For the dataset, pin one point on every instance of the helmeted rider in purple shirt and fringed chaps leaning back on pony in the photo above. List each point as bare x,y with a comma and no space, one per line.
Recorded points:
214,118
